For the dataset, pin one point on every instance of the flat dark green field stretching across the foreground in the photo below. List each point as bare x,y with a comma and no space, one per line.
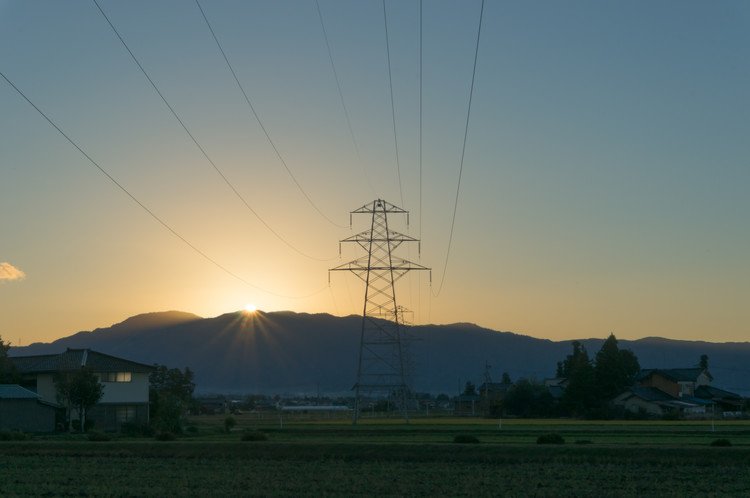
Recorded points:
387,457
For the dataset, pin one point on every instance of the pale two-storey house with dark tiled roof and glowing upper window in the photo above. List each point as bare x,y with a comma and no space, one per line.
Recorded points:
125,384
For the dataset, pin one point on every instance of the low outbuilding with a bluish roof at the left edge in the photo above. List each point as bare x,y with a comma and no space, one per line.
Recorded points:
23,410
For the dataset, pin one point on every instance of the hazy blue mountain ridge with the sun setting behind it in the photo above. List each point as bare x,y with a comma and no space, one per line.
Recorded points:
285,352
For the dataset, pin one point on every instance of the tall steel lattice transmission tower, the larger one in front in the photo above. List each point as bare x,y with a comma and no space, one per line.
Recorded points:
381,368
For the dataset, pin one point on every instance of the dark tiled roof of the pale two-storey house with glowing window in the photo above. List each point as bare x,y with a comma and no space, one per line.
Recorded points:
73,359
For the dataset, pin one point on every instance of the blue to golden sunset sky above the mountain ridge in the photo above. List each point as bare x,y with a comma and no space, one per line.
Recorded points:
604,183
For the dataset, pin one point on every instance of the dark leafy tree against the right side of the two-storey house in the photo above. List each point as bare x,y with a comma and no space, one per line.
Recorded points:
170,396
